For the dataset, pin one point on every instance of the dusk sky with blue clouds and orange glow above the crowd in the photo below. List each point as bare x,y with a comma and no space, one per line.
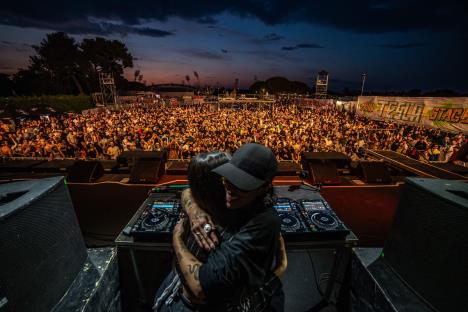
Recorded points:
401,45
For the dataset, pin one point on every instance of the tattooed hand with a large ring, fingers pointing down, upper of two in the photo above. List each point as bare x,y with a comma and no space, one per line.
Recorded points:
198,218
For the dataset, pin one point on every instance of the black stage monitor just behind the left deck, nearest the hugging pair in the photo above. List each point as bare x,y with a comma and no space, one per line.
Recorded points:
148,169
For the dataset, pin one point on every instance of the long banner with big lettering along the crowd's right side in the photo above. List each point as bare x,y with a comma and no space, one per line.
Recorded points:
449,114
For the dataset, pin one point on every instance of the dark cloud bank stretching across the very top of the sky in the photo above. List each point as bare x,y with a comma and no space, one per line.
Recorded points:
364,16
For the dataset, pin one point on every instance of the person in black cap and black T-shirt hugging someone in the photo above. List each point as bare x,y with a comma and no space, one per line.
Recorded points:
238,274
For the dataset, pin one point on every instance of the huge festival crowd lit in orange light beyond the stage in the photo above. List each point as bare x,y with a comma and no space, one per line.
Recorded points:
185,132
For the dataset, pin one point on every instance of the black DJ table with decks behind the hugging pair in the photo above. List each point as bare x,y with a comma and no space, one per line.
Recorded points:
145,251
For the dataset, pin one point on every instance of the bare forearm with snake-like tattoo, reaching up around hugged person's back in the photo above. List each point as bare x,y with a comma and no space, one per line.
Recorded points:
189,265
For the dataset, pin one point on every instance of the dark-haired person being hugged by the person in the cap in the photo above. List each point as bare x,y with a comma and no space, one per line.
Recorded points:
207,192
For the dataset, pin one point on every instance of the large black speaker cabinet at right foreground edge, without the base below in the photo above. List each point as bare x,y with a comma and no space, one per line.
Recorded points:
428,243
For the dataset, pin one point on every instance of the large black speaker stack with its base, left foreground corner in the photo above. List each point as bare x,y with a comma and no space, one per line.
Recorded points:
45,265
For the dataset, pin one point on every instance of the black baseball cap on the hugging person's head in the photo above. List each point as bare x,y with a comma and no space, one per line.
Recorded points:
251,166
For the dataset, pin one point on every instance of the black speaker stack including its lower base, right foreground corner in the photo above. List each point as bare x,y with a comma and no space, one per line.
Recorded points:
424,264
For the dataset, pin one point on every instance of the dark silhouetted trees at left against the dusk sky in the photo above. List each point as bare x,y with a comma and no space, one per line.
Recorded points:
61,65
